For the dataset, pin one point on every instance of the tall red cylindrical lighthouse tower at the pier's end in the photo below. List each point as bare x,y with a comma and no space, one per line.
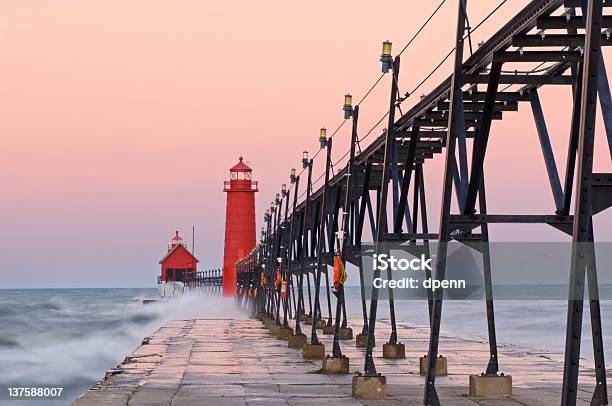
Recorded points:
239,222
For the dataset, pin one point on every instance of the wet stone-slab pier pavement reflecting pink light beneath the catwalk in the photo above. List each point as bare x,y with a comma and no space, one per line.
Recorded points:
237,362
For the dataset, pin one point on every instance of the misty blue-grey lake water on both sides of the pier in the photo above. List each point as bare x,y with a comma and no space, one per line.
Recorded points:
70,337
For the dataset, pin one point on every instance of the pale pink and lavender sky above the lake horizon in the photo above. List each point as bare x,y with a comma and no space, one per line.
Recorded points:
120,120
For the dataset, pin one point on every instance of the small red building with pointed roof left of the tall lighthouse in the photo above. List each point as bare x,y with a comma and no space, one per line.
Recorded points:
178,264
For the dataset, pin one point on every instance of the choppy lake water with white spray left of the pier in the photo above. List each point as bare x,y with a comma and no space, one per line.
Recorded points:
70,337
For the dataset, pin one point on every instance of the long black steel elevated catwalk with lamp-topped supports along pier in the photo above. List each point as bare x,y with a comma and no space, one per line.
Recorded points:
305,230
